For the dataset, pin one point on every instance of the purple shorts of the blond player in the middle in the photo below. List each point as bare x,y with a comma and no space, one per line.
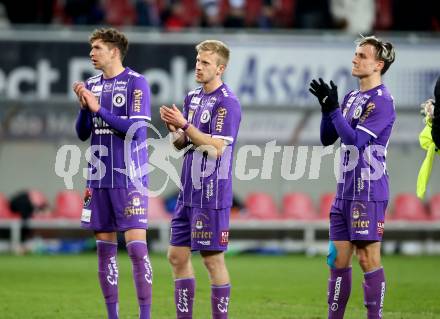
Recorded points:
200,228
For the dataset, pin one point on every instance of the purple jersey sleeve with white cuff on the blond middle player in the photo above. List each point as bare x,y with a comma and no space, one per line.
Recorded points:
226,120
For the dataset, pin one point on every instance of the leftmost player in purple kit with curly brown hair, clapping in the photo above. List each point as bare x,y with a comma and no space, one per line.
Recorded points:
110,103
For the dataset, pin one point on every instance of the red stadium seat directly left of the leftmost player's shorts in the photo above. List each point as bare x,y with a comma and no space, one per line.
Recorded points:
68,204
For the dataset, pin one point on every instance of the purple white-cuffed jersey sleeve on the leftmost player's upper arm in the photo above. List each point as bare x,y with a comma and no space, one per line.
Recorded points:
140,99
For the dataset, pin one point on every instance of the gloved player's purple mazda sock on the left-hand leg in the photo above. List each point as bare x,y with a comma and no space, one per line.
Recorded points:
339,288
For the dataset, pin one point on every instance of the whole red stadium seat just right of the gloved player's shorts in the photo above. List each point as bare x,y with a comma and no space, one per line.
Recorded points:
408,207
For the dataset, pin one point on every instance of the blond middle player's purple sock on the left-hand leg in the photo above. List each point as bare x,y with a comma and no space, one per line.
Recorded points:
184,290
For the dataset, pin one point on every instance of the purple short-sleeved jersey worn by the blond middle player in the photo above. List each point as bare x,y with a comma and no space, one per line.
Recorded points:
207,182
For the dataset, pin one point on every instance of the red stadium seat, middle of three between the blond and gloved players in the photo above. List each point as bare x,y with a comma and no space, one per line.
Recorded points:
298,206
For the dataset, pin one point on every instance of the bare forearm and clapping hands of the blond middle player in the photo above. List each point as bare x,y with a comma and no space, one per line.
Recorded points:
213,146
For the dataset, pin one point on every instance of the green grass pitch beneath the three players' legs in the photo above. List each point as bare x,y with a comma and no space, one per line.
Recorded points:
264,287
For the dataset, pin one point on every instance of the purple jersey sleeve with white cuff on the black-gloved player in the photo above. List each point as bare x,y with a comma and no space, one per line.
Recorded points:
378,114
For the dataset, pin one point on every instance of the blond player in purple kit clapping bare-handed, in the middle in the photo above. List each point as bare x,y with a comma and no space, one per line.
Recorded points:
208,126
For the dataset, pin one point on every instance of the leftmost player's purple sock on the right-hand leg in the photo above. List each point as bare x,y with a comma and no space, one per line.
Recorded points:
142,275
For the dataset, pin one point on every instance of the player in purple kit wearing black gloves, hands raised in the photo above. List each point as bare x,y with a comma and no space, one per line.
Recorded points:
363,123
